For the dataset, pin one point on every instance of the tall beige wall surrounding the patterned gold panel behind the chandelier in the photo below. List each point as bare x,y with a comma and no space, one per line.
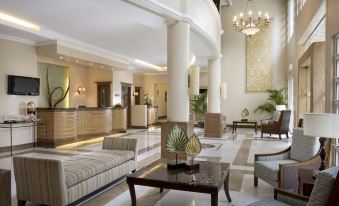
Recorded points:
234,59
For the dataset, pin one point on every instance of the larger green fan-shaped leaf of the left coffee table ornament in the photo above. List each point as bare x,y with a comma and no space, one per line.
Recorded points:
176,141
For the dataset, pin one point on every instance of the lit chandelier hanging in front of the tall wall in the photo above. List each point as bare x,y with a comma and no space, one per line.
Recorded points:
250,22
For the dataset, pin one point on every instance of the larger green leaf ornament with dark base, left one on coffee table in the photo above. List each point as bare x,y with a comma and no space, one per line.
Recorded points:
176,142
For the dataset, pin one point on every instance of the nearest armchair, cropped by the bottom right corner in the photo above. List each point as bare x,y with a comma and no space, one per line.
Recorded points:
323,193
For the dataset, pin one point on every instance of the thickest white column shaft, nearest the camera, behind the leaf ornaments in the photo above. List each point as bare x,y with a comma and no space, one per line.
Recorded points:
178,54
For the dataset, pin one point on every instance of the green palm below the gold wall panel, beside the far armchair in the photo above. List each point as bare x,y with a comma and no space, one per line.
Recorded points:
276,97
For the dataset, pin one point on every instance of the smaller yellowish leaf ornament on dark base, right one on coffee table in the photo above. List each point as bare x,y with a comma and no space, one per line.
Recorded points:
192,149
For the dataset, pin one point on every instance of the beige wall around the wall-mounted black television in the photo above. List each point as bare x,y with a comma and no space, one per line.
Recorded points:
15,59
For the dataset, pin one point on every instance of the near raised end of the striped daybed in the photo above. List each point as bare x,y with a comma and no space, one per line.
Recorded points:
40,180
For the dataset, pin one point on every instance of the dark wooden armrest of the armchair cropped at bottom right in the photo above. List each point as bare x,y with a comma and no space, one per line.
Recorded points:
290,198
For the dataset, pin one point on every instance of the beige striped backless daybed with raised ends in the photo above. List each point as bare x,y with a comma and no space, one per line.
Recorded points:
58,183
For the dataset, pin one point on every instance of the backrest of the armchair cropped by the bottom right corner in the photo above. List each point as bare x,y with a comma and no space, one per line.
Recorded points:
323,187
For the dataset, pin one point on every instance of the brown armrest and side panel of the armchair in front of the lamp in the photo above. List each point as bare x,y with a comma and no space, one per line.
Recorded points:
288,173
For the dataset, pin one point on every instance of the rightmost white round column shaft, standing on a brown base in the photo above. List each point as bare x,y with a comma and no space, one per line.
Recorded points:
214,72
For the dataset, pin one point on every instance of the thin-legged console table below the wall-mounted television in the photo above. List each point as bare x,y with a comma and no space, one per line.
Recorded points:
24,124
